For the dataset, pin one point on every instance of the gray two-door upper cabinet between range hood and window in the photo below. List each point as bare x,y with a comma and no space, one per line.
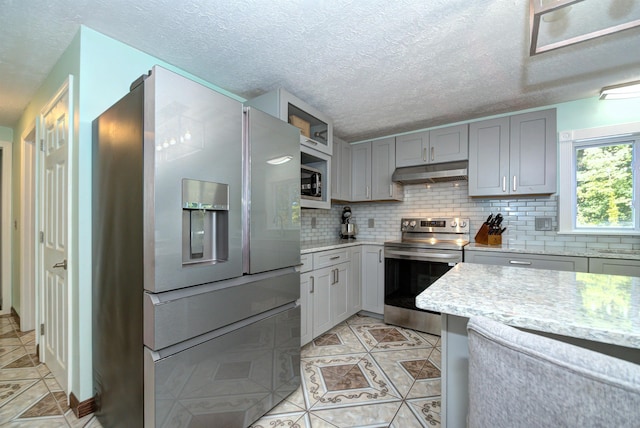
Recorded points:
513,155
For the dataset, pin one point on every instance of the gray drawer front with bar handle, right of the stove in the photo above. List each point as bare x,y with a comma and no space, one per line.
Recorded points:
535,261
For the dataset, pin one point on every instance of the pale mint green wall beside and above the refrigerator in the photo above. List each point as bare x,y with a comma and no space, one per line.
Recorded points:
107,68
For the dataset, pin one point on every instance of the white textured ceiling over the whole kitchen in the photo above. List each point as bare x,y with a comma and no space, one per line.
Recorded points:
376,67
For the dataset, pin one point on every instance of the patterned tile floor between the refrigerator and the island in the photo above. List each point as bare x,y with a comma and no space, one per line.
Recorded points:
364,373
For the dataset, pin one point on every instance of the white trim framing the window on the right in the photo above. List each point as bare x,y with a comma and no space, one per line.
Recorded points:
566,140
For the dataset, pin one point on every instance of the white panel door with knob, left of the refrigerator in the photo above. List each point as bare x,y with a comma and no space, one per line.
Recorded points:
55,139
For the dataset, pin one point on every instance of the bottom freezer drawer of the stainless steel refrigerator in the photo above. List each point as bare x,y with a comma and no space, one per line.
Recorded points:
230,380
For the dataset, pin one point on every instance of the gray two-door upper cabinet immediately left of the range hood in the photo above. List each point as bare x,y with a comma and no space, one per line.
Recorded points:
372,165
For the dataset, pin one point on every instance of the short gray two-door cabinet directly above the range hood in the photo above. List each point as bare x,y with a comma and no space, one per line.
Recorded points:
435,146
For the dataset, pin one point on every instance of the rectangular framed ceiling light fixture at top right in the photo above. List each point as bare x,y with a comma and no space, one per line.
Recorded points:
555,24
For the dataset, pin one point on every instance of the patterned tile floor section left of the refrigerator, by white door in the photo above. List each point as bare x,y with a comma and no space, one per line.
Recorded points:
29,395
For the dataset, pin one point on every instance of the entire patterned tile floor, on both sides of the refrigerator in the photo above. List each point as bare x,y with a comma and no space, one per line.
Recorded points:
360,373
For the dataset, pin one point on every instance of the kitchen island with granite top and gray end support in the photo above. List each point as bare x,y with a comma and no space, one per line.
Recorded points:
599,312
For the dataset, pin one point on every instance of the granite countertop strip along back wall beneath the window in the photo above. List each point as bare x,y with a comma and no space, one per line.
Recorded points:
606,253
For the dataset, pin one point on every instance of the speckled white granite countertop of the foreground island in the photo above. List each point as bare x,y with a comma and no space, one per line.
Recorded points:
600,308
